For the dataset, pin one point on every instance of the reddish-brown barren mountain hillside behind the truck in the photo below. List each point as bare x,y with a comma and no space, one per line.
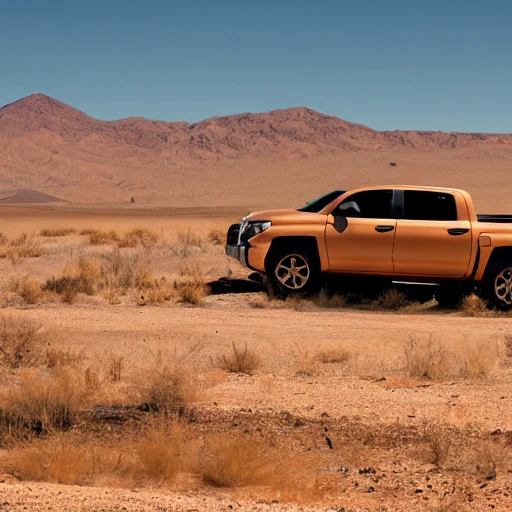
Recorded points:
279,157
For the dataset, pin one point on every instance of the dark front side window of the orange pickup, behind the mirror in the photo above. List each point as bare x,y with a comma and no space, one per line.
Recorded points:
371,204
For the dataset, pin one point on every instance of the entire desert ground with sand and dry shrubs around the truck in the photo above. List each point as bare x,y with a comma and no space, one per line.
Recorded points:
126,386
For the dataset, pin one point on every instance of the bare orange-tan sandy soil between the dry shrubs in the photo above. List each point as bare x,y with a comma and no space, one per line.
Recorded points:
363,422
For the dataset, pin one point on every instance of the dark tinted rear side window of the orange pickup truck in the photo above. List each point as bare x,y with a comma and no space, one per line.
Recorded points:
421,205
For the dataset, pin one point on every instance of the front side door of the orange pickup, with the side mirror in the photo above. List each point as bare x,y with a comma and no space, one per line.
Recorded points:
360,232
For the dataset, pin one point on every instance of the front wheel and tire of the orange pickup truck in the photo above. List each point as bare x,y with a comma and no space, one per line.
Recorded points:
292,270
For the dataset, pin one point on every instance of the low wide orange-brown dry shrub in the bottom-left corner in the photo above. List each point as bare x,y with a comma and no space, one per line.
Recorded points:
65,461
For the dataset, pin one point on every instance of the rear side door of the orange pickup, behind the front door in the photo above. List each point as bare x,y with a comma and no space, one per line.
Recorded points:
429,239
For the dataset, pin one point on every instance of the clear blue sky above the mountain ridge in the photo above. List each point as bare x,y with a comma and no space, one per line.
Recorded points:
389,64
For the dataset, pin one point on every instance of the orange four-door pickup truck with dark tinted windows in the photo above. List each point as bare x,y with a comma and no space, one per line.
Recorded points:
401,233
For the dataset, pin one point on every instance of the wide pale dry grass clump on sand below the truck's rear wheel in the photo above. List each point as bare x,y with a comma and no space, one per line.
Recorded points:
432,359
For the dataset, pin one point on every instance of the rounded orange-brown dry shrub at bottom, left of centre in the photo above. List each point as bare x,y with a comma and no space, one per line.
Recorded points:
163,453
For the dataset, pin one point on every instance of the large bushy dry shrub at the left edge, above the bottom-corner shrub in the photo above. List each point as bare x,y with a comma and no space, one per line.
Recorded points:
44,401
